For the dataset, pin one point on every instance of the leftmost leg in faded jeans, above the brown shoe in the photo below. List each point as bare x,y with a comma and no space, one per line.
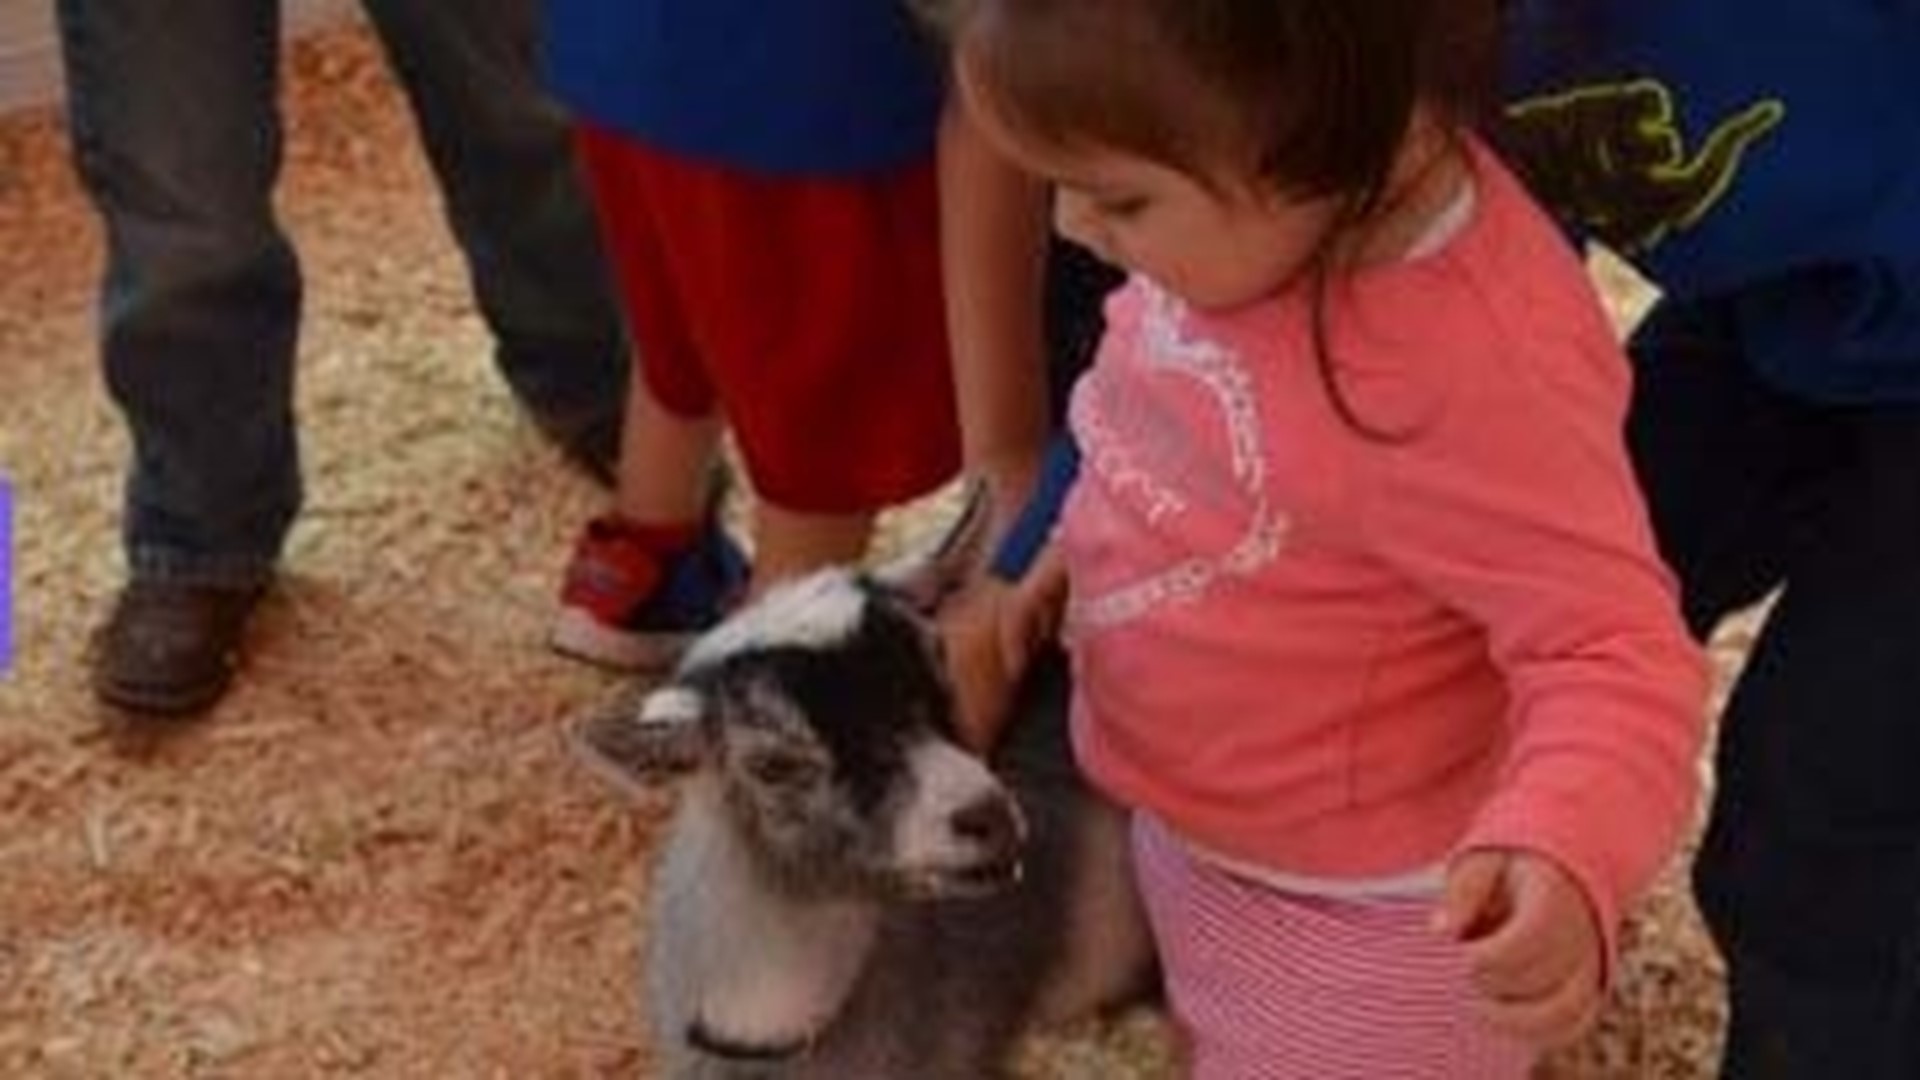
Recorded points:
178,141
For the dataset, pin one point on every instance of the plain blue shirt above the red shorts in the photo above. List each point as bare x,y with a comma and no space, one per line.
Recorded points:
786,87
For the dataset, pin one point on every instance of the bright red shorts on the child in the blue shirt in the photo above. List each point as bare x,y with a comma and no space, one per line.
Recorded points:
805,310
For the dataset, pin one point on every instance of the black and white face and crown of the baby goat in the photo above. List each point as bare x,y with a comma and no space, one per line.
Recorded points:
832,689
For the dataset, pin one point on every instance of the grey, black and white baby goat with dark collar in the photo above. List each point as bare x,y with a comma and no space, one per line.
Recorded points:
848,893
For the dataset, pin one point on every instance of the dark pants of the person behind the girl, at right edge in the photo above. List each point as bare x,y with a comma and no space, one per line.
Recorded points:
1810,875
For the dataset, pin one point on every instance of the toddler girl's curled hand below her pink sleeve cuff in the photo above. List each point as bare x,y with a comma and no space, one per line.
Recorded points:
1533,946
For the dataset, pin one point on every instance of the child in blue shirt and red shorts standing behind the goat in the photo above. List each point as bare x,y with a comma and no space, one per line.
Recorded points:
767,191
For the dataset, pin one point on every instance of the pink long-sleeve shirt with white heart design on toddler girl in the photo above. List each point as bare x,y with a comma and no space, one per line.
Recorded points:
1339,656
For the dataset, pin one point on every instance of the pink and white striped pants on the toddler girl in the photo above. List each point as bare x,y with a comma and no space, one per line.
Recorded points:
1287,987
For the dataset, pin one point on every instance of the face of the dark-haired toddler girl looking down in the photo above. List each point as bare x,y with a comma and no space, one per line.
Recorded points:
1214,247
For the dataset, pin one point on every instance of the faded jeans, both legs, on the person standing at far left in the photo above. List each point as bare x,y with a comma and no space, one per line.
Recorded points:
178,141
